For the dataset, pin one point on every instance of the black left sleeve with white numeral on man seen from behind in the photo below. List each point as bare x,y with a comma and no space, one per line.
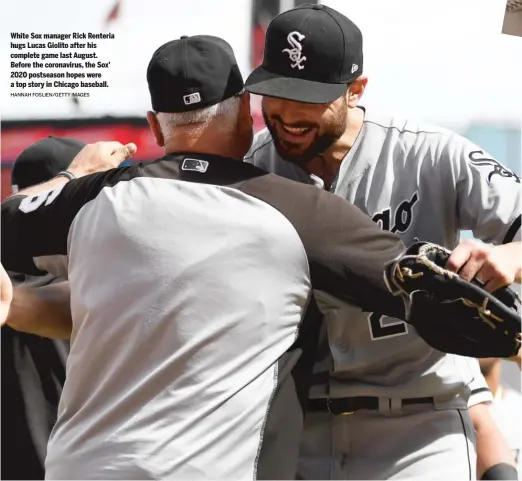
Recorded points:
35,227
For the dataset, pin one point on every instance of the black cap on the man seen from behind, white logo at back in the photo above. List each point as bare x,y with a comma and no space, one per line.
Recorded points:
193,73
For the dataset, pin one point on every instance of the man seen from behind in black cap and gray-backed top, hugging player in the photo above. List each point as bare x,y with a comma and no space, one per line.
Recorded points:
177,368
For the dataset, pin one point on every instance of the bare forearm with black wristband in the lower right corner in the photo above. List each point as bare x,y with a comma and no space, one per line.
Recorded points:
492,449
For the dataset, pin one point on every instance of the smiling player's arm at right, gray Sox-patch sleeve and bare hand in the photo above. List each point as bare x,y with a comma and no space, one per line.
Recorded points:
487,198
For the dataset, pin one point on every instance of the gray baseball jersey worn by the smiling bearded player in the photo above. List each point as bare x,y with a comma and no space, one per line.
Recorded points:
419,182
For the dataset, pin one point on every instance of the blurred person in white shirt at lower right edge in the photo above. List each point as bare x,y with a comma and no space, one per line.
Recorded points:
506,407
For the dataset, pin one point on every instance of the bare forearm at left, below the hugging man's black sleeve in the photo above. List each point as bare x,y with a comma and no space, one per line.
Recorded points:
44,311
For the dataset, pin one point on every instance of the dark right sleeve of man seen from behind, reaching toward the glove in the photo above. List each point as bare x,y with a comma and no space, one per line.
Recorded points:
346,250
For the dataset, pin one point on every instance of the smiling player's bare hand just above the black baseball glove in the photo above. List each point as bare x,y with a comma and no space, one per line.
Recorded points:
496,266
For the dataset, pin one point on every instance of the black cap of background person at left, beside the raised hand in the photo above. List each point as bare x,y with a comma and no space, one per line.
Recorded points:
43,160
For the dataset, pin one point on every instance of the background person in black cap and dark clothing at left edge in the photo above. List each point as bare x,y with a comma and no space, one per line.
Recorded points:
33,368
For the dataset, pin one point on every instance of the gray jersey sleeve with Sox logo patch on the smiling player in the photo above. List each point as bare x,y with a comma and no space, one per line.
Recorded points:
488,195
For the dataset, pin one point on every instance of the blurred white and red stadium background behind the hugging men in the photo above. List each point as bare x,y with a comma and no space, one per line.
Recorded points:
445,62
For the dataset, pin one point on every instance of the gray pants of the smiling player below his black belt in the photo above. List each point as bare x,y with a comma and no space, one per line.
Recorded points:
413,443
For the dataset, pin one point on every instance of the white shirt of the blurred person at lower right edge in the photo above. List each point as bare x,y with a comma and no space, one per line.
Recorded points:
506,410
